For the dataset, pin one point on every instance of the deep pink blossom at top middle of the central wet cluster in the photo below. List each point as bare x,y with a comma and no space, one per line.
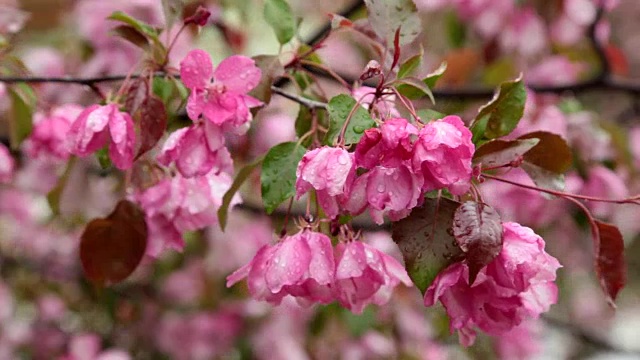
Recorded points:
388,146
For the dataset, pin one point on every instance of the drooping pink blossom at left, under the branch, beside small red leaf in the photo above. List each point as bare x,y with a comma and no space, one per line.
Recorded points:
96,126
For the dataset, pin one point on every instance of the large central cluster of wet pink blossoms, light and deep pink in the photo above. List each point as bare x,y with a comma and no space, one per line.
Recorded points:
401,164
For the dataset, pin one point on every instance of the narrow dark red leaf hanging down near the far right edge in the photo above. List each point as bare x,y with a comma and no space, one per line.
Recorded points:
610,264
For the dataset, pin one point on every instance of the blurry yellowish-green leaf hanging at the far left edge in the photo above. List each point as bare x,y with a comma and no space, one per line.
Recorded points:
21,115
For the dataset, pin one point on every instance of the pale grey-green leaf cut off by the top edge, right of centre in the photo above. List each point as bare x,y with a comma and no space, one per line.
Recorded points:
387,16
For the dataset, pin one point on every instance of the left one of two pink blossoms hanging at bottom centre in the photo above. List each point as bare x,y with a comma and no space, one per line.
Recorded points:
301,265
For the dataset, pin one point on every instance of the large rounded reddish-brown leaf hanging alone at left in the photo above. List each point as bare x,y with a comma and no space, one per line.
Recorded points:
111,248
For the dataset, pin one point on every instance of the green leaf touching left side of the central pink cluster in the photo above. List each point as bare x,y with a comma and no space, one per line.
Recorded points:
278,176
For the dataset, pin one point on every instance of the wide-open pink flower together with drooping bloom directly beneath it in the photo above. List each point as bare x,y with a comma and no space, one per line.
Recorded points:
220,98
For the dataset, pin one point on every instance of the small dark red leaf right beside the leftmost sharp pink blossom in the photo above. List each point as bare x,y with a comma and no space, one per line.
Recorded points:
153,123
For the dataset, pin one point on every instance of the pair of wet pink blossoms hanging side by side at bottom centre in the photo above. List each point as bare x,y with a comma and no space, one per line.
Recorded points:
307,267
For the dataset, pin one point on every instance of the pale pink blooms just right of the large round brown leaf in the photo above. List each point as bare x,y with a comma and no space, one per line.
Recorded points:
177,205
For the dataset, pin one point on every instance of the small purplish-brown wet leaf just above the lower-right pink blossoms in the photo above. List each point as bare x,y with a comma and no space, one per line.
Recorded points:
478,230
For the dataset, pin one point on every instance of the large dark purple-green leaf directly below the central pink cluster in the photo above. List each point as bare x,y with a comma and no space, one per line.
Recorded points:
425,240
